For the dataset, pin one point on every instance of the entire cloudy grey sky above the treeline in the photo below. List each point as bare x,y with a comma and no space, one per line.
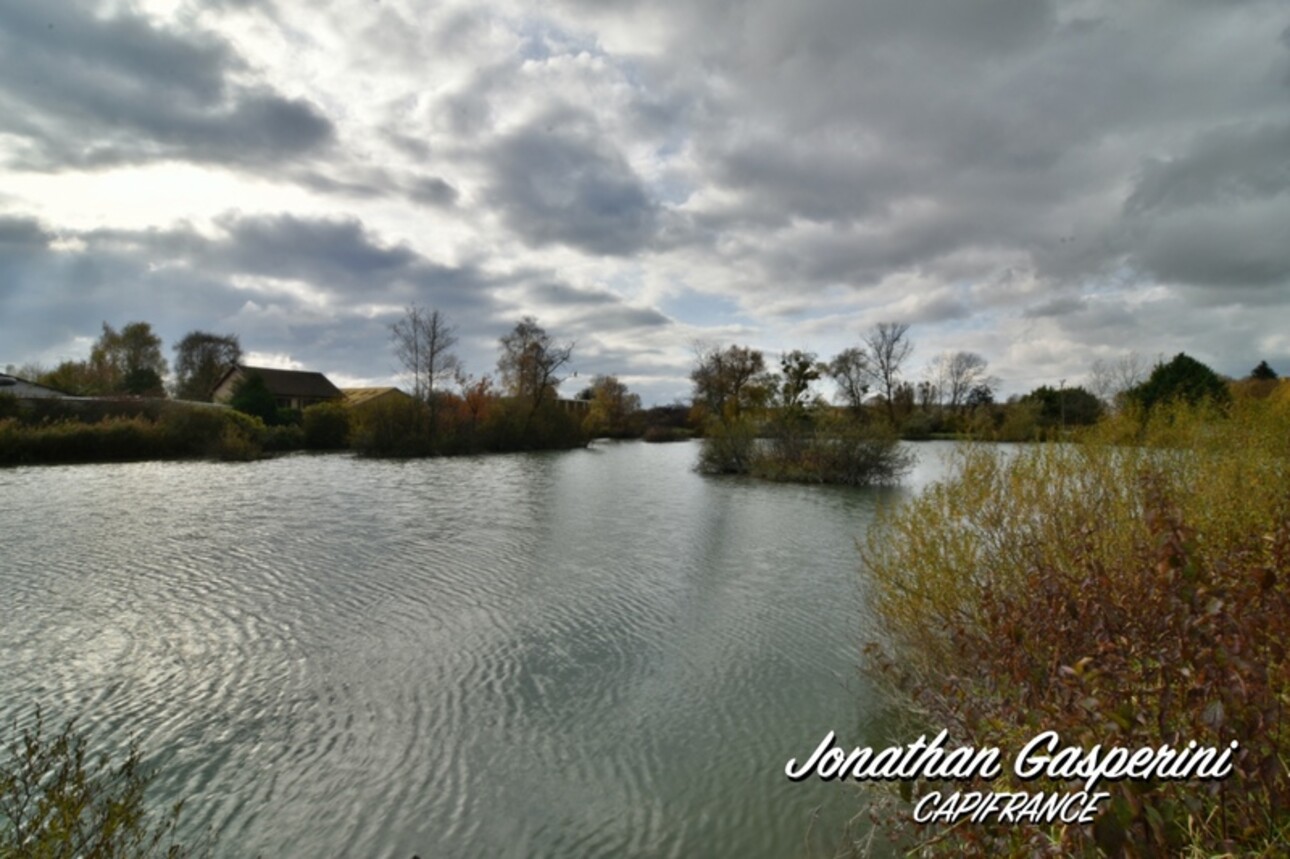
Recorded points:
1043,184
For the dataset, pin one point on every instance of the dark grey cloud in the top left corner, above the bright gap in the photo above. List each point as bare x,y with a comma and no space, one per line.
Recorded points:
82,91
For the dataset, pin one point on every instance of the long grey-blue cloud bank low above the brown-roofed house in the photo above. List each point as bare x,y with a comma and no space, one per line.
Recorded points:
287,284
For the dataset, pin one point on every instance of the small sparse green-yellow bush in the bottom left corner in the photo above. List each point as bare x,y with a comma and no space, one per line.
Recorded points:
59,802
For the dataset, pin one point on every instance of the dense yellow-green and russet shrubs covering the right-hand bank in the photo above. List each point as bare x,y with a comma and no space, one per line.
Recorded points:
1128,590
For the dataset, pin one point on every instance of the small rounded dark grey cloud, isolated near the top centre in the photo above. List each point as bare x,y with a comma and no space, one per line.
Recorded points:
562,181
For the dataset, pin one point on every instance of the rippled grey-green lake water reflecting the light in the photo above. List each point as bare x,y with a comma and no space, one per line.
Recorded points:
595,653
